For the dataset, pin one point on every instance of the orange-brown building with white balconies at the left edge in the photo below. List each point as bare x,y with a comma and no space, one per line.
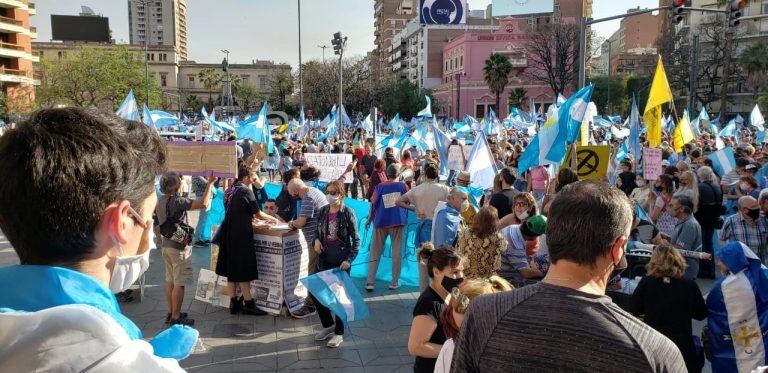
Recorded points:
16,56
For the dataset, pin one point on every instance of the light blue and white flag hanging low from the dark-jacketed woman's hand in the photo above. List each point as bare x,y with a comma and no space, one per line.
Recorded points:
336,290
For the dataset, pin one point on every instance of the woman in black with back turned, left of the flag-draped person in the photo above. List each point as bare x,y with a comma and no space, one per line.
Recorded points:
669,302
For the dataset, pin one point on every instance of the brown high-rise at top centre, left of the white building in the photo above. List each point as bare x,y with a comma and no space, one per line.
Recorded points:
390,17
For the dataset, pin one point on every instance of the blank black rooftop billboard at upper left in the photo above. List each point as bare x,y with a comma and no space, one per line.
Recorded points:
80,28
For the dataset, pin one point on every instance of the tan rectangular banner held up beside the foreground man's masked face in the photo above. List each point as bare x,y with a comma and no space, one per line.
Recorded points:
203,158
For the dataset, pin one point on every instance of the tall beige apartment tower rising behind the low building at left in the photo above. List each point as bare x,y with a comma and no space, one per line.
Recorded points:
160,22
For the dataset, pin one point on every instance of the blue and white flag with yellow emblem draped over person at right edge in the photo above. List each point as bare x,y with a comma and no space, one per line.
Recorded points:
738,312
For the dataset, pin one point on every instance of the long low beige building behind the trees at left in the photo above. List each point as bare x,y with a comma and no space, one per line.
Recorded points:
176,78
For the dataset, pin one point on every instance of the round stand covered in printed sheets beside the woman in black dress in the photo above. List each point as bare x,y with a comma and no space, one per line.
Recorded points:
282,258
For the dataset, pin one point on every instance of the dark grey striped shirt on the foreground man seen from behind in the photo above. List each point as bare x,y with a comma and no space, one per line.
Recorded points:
547,328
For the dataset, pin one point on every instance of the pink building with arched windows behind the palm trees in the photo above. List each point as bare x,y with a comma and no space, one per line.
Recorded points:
463,61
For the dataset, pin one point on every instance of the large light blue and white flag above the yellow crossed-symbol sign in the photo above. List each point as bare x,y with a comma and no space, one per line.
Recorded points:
569,118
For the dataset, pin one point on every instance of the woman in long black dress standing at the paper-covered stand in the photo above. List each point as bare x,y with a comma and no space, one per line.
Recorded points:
237,254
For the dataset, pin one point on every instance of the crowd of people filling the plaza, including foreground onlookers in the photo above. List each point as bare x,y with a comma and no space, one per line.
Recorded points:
541,272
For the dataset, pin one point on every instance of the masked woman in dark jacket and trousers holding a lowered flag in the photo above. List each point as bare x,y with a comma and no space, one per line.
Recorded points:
336,245
